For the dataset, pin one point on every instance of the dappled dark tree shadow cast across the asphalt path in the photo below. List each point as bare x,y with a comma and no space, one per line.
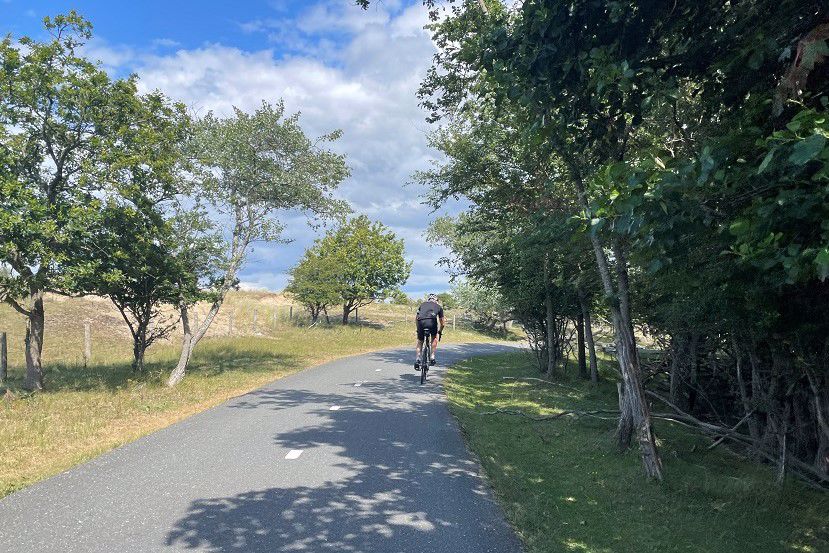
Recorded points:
397,478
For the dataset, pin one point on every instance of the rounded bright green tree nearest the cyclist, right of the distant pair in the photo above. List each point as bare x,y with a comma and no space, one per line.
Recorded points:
369,260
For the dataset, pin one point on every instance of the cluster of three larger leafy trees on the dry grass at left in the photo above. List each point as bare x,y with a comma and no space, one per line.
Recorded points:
107,191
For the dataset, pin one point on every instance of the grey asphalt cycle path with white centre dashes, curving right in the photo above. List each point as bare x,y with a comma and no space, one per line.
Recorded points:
278,470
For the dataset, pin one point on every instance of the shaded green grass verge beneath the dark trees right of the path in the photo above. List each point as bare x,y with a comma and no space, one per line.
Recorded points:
565,488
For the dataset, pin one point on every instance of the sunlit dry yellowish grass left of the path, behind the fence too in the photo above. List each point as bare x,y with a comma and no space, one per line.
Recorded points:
86,411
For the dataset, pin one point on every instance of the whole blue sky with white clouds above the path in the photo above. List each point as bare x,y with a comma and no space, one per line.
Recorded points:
340,66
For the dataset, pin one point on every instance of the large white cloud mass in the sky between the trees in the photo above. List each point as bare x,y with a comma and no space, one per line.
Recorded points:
345,68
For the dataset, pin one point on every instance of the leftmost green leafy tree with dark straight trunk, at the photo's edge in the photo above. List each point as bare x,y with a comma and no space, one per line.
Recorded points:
58,114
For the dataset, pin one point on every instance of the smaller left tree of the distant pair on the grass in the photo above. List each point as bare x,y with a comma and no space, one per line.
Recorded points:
314,282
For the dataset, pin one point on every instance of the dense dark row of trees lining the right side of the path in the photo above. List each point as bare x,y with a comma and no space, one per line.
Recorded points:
663,166
